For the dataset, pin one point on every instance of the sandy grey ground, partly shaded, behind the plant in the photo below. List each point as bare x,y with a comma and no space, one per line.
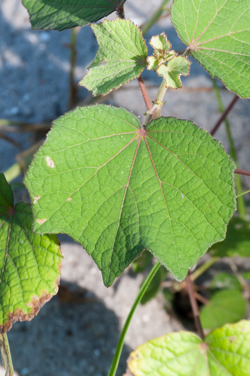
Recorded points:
80,338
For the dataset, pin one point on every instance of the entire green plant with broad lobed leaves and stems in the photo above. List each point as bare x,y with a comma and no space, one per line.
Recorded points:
120,187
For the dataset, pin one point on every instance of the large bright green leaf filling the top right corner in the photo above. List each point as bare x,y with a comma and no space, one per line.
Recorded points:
218,35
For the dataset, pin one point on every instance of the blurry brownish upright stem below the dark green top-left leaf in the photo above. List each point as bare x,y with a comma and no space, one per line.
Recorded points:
72,85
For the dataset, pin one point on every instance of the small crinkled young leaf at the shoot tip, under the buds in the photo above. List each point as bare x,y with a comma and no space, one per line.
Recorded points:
171,72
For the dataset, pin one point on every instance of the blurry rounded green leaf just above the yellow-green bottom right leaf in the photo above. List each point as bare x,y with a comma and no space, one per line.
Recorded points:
226,306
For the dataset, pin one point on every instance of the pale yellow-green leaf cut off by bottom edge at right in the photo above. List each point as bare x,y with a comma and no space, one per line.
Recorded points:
224,352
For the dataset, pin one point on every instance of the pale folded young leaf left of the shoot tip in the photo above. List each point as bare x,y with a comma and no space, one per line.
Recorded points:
121,56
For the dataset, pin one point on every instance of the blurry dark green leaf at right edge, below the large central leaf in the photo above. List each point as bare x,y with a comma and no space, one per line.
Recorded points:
237,242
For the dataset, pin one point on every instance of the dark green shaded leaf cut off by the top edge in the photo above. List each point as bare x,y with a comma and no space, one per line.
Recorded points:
64,14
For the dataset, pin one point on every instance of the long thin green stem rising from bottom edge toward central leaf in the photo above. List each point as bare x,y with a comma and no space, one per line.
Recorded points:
140,295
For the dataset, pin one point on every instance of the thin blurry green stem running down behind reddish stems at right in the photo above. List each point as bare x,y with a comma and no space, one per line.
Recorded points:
241,203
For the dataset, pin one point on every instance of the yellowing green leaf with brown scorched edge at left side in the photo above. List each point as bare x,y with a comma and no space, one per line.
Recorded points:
29,264
